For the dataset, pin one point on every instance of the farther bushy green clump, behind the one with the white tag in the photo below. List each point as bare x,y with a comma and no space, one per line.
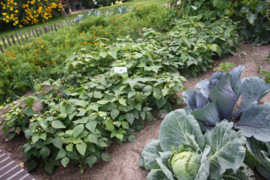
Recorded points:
195,42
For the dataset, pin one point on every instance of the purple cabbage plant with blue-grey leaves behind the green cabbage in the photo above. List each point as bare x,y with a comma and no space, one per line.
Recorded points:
215,100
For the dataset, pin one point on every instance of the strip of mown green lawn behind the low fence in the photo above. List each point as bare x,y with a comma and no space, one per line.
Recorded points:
72,16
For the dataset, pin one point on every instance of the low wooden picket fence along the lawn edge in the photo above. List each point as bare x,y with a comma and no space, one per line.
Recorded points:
18,39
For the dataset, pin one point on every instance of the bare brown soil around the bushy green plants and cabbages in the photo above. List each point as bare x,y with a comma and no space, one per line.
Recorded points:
123,165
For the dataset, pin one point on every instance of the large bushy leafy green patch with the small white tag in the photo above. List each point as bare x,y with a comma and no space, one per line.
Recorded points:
91,107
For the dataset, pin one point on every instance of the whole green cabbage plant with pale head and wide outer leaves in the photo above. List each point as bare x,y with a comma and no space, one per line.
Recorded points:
183,152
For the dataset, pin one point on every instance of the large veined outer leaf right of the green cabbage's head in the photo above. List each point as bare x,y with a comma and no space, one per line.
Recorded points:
229,153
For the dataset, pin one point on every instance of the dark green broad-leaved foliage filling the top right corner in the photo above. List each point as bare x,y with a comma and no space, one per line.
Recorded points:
253,15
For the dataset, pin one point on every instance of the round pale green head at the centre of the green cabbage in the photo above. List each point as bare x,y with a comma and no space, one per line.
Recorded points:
185,163
